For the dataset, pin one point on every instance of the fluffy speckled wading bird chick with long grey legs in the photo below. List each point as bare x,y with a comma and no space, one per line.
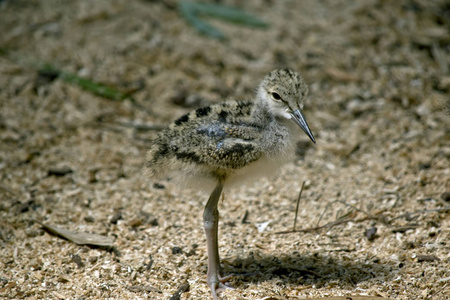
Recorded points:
230,143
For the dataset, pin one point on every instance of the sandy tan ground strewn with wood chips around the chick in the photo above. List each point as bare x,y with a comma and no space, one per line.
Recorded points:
378,106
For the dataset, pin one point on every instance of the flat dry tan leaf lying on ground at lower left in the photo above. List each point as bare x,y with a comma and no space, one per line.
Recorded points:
80,238
